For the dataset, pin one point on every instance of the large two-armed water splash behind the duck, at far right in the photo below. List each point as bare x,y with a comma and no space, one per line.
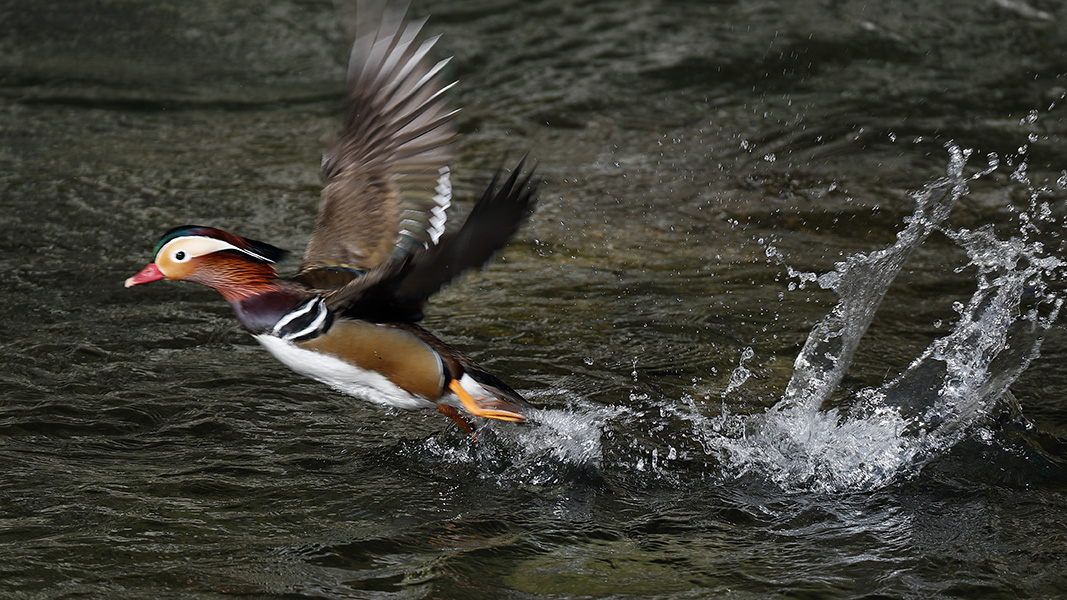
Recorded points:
895,430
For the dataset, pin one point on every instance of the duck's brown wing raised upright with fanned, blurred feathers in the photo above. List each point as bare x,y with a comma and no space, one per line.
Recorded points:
387,178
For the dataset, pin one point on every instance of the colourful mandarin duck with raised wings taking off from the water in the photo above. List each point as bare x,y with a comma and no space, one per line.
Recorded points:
380,248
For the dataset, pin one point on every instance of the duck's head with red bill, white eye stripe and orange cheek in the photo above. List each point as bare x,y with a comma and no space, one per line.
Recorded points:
212,258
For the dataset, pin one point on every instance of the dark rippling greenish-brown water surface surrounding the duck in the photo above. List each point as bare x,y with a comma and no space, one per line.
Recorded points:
705,163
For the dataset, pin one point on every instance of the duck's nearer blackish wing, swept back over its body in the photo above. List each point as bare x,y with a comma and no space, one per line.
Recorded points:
401,287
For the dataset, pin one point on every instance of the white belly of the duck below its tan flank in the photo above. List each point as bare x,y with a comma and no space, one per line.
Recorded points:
342,376
